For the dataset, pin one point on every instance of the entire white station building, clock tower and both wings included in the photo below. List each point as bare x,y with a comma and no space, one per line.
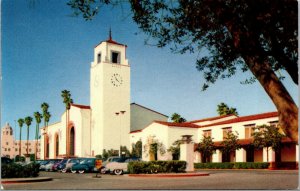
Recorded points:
111,121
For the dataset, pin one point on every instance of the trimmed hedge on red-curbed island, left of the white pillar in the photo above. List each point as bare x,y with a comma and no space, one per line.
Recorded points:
141,167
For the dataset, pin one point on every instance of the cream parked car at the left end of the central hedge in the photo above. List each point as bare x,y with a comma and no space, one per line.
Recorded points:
118,167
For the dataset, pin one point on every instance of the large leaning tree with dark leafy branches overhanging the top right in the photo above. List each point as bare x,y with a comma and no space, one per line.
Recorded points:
259,35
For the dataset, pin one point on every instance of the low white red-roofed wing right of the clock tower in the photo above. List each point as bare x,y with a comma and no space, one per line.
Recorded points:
166,133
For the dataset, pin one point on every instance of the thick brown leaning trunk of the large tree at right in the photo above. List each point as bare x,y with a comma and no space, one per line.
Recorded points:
286,107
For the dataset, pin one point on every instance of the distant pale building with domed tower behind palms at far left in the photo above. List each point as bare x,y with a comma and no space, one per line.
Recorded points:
11,147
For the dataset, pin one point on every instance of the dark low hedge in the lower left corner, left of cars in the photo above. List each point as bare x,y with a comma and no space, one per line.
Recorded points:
14,170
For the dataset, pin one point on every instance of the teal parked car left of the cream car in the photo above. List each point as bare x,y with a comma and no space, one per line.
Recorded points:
86,165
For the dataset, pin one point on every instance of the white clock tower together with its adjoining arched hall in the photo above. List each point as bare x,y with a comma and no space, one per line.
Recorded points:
86,131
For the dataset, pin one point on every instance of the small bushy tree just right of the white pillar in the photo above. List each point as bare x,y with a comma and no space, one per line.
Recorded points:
206,148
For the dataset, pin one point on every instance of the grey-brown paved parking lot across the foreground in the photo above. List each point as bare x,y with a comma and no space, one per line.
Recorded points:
218,179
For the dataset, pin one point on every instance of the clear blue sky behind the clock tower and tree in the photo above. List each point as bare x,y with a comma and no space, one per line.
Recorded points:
45,50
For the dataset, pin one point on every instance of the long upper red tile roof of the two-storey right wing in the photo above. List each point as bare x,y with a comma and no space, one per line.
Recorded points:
245,118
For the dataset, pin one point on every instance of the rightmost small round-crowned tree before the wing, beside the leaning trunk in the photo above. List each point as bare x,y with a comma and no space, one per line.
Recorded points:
267,136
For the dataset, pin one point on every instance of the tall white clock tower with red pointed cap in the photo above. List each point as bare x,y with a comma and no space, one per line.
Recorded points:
110,97
